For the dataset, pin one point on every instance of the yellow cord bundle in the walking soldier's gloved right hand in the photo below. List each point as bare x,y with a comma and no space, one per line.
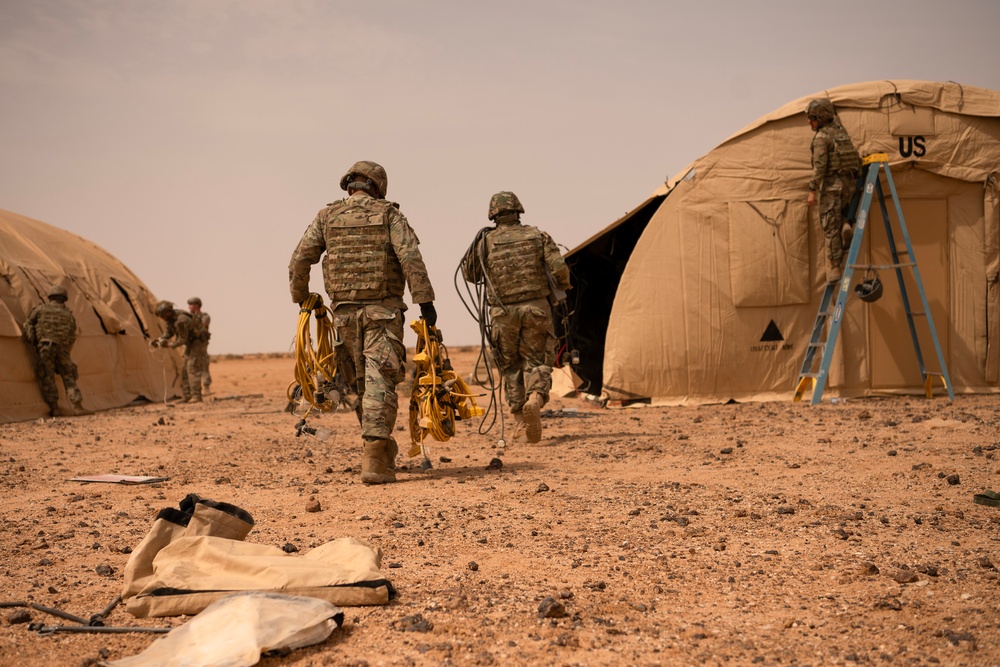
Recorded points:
438,392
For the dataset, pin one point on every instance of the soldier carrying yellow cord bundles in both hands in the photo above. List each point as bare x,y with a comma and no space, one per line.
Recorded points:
371,255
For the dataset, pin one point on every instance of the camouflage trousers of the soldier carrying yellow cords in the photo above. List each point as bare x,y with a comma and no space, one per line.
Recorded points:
371,337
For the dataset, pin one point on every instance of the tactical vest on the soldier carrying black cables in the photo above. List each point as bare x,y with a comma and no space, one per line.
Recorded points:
516,262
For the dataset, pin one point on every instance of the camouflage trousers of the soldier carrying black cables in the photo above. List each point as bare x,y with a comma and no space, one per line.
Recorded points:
524,339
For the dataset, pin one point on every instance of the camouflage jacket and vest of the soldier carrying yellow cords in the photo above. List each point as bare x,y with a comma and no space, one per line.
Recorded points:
370,249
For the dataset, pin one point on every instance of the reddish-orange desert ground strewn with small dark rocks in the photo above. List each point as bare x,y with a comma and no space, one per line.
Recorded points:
741,534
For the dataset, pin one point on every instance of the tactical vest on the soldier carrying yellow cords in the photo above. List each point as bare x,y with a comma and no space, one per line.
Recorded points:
360,264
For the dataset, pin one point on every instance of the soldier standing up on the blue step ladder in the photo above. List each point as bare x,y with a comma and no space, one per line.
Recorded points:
835,163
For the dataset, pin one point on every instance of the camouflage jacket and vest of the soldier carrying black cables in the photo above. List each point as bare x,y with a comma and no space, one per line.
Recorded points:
517,260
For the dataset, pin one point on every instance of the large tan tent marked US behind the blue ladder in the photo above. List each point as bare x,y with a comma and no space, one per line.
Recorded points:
709,289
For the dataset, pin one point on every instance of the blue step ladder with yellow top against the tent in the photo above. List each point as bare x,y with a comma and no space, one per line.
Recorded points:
835,294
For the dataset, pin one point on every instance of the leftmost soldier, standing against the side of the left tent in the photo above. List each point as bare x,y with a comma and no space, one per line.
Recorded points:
51,329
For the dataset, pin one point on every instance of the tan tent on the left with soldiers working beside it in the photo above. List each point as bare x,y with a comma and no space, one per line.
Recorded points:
114,315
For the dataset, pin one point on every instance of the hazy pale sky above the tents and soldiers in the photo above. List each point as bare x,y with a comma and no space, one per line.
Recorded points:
196,139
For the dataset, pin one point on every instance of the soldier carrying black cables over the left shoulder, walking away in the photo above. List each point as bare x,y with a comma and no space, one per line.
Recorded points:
520,265
